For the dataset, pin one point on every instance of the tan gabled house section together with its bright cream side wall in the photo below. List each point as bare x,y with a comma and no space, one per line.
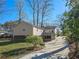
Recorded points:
26,29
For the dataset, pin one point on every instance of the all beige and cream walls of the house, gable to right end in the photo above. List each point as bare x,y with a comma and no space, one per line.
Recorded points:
25,29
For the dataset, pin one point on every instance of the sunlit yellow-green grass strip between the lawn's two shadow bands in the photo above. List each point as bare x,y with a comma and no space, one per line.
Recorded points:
14,46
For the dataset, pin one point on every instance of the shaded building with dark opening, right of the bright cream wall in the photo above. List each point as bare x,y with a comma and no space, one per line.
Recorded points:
49,33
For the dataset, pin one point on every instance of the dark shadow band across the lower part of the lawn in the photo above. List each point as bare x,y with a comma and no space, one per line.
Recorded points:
16,52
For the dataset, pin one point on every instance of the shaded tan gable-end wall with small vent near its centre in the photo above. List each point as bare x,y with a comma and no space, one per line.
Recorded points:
23,29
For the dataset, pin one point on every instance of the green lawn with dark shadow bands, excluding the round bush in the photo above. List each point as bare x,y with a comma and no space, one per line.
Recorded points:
13,50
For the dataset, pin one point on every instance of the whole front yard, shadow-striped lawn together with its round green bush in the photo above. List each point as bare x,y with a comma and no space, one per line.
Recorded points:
14,49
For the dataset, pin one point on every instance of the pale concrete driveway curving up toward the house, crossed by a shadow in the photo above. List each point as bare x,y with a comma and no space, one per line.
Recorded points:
56,47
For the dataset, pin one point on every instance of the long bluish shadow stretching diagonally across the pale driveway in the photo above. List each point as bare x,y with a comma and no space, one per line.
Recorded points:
50,53
